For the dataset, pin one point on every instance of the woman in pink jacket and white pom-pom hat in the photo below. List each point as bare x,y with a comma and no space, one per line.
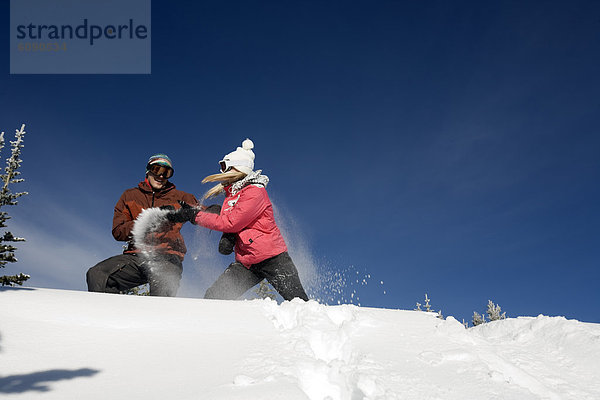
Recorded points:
245,217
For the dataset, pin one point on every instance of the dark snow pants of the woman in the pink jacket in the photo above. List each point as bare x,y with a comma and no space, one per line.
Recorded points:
279,271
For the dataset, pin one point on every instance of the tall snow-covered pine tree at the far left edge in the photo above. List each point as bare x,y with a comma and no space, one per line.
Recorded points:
7,198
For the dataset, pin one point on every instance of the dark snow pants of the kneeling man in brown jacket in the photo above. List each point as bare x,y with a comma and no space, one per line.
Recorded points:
120,273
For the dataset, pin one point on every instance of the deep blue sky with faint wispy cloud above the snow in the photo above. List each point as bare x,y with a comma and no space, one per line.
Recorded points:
448,148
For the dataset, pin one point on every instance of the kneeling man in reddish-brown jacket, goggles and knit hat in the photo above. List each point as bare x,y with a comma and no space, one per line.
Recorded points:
164,268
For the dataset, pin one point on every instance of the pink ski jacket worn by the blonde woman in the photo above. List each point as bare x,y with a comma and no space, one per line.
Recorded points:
249,213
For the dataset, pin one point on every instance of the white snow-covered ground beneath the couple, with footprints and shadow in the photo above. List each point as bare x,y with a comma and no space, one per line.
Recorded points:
57,344
